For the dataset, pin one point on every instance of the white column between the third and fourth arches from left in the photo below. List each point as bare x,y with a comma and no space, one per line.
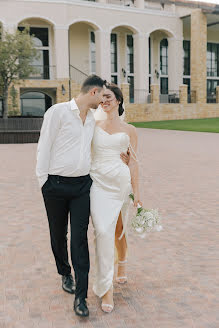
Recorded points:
141,67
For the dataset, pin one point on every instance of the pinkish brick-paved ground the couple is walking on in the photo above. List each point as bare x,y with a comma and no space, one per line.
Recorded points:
172,274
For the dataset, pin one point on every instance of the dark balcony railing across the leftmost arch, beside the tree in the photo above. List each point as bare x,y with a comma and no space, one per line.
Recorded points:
42,72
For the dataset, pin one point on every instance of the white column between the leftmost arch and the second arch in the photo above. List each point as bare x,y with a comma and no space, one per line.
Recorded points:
61,52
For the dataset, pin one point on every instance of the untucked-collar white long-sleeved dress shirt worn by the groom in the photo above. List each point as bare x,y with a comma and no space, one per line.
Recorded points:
64,146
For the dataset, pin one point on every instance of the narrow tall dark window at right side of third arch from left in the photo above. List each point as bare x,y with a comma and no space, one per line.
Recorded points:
130,66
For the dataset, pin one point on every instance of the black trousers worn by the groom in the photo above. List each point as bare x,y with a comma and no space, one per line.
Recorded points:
64,195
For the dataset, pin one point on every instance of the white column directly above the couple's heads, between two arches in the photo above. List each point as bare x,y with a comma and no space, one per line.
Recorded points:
103,54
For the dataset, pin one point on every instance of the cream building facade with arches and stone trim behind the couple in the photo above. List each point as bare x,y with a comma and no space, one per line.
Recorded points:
163,54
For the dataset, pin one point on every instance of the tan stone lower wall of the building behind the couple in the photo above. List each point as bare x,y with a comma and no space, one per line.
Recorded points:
136,112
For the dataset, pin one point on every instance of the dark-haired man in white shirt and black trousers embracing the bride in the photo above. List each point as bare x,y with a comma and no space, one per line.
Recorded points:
63,165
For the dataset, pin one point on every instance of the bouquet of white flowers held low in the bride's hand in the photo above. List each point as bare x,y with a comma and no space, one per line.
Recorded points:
145,220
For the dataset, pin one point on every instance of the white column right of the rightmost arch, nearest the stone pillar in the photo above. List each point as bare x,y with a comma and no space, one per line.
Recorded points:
175,63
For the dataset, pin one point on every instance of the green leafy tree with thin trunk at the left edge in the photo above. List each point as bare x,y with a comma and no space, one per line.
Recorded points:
16,55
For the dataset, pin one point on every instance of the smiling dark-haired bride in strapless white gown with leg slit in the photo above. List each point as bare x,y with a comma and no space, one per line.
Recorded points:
109,195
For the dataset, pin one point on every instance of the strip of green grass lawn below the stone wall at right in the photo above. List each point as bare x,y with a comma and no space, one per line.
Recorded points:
198,125
